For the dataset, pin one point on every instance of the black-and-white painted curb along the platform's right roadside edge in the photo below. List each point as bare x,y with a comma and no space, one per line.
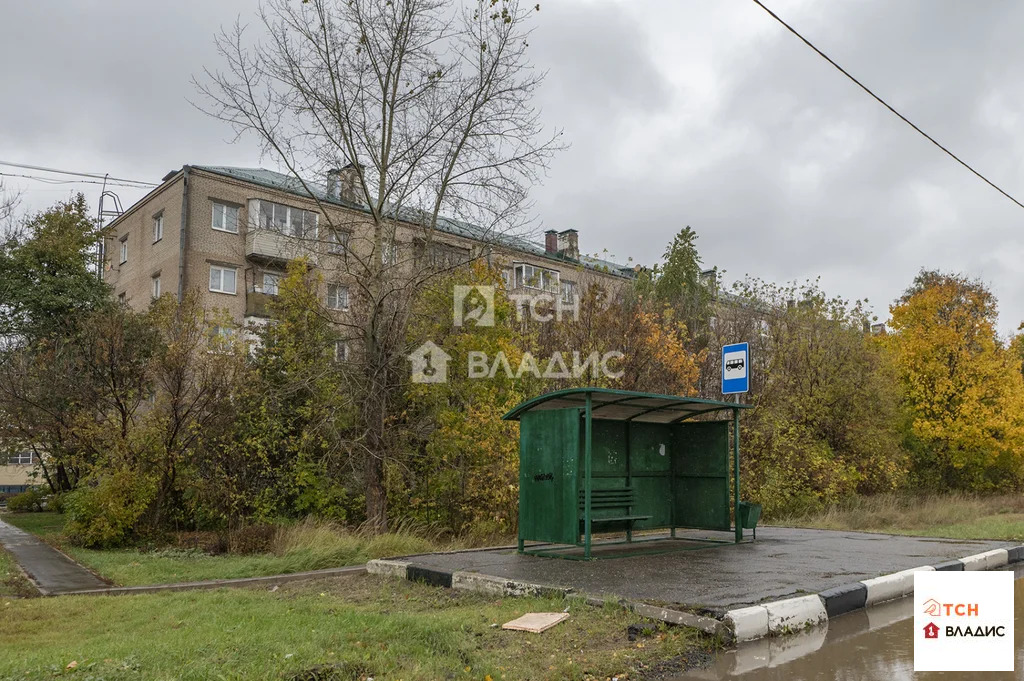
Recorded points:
793,615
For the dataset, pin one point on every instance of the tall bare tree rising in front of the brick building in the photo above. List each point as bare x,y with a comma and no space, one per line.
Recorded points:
429,104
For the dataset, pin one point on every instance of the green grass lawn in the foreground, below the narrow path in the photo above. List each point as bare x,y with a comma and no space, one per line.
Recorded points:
352,627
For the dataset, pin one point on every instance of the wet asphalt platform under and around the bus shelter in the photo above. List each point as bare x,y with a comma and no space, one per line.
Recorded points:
782,564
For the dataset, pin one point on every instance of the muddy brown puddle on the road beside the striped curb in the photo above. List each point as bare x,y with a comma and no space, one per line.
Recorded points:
877,644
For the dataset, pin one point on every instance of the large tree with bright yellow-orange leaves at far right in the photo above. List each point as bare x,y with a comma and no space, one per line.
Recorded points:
962,386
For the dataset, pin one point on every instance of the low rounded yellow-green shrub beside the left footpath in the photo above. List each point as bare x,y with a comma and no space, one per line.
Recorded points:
105,513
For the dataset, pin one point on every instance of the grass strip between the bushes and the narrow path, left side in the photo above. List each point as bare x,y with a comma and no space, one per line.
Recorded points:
307,548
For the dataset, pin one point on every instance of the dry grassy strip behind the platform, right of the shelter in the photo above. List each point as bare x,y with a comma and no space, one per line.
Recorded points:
955,517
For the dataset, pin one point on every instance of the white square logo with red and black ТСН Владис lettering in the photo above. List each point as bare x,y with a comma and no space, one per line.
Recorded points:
963,622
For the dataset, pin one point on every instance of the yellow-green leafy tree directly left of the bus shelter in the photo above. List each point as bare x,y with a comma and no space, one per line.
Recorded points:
462,472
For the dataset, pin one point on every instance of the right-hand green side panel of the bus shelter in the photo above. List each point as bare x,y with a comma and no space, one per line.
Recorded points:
701,491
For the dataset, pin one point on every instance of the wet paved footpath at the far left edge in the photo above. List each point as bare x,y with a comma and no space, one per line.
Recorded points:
53,572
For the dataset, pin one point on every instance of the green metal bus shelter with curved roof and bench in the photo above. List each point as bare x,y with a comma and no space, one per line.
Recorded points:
603,460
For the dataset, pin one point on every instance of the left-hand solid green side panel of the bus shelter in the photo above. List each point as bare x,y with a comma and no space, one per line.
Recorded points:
549,456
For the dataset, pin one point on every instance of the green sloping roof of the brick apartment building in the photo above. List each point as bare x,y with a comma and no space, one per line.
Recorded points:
282,183
